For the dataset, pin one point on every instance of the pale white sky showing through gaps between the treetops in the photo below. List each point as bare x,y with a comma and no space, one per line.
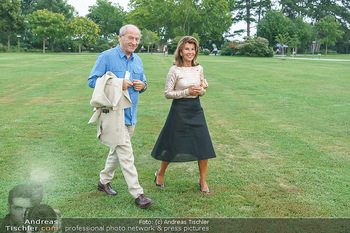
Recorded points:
82,7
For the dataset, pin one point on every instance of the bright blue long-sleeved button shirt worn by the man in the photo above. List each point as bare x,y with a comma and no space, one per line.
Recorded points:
116,61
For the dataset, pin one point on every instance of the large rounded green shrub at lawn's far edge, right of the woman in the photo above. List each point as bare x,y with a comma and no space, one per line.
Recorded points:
257,47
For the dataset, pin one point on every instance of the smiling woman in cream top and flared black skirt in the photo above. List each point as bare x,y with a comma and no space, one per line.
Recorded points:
185,136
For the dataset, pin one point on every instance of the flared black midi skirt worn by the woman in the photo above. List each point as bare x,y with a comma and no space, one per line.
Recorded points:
185,136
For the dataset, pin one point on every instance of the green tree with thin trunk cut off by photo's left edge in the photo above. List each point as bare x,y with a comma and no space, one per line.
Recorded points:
11,20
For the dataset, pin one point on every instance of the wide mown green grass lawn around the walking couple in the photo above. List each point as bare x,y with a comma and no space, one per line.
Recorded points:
280,129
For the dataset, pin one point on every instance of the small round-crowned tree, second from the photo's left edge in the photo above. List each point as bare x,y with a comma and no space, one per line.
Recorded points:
46,24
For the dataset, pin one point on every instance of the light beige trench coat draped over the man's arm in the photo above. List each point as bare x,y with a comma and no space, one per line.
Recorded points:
109,101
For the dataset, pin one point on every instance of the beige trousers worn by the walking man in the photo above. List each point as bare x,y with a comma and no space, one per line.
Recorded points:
123,155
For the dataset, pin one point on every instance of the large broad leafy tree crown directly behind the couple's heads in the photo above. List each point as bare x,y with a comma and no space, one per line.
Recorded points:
209,18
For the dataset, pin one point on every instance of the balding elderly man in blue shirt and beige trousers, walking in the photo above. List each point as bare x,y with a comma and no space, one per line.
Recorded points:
123,63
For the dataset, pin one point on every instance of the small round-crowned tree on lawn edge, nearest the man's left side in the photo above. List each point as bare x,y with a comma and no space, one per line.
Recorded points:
84,30
